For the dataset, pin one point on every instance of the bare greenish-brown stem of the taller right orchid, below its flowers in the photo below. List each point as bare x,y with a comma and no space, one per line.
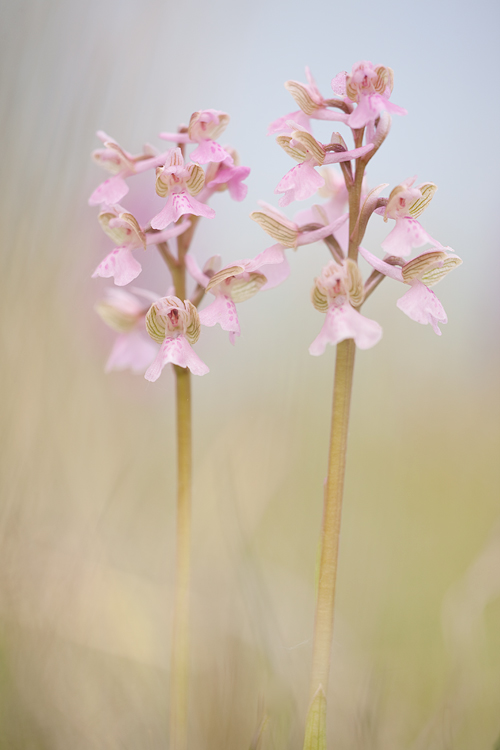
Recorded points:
330,532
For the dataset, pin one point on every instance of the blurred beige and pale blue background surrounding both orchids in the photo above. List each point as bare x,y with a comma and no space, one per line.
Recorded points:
88,475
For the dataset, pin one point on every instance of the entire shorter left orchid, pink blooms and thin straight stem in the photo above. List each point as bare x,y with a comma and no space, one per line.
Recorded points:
157,331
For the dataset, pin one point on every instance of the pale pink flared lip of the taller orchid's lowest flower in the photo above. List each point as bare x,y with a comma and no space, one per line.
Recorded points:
346,323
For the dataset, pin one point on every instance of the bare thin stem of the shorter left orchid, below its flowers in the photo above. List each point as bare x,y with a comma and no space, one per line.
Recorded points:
180,638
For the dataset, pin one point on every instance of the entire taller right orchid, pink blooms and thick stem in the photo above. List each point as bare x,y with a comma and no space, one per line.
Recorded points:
362,103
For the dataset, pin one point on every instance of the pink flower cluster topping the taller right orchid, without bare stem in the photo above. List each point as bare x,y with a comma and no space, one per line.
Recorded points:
361,102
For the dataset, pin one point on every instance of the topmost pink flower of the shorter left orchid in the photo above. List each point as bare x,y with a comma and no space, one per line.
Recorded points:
204,127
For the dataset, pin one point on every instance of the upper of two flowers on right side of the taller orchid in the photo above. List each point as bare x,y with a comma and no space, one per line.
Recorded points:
404,205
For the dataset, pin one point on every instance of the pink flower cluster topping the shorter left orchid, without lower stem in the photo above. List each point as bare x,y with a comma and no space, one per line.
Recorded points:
154,330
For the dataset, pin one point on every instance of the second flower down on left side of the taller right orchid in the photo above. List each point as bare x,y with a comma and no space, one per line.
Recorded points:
303,181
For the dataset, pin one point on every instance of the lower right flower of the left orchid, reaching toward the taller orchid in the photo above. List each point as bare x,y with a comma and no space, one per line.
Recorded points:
237,282
